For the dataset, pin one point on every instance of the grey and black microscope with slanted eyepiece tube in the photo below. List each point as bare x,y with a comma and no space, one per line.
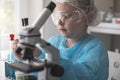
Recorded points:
29,38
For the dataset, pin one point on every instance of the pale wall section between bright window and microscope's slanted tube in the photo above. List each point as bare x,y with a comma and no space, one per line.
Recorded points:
28,8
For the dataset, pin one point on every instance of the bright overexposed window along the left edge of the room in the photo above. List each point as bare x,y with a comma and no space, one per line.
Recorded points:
7,24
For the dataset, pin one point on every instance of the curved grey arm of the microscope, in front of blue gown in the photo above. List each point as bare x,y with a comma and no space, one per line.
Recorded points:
52,53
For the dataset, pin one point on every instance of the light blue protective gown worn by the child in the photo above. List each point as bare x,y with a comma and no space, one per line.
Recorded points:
86,60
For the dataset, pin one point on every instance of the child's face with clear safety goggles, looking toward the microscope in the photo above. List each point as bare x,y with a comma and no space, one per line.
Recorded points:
71,23
